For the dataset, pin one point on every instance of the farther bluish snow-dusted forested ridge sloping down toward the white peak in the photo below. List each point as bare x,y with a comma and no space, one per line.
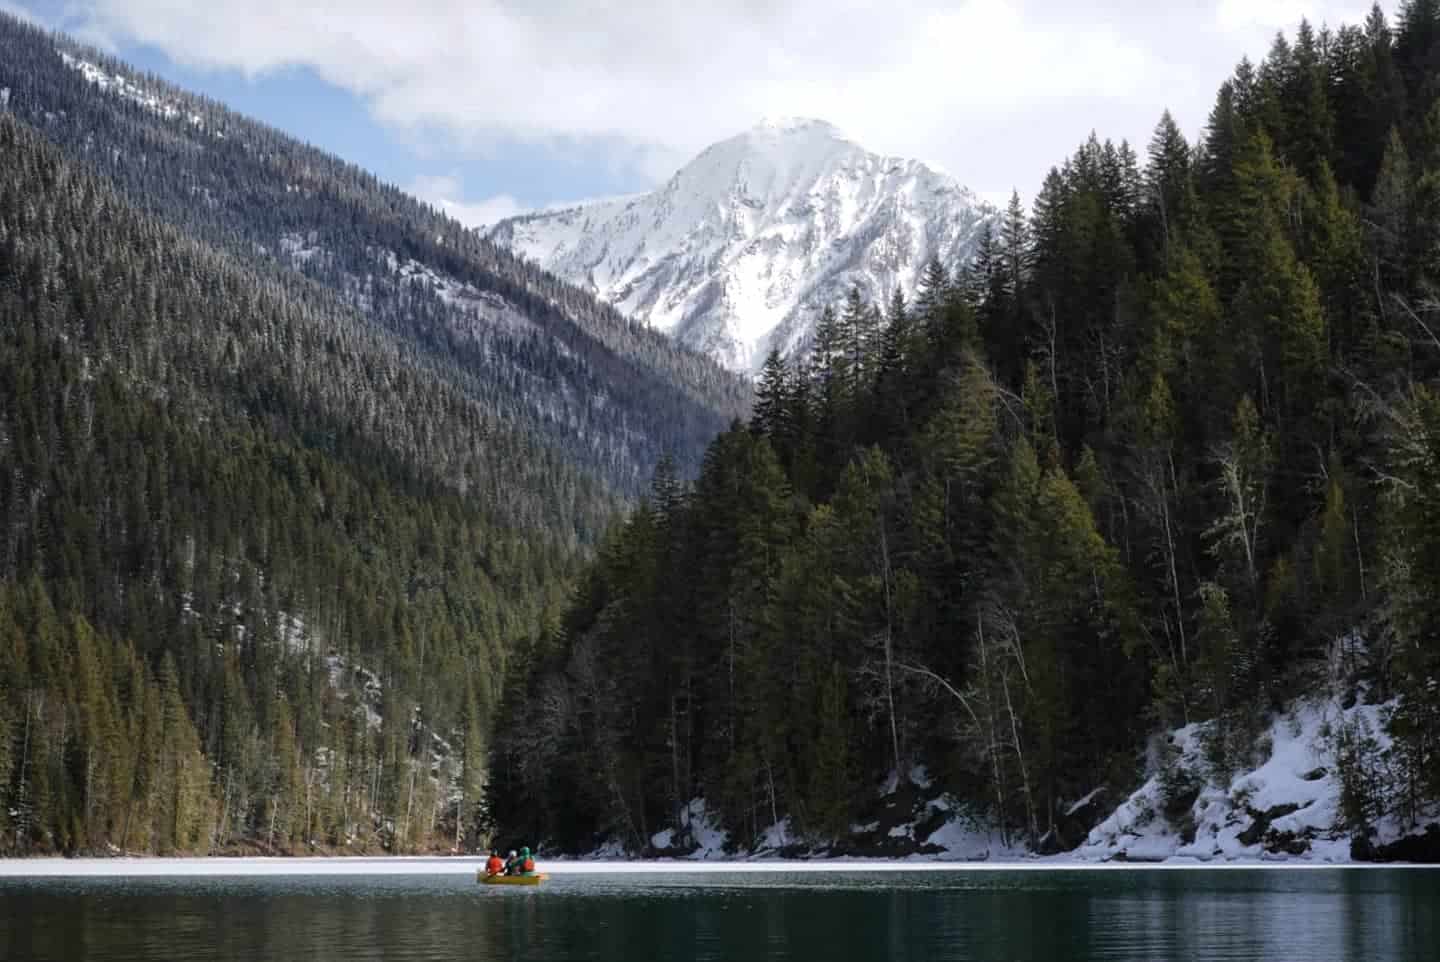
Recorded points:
607,392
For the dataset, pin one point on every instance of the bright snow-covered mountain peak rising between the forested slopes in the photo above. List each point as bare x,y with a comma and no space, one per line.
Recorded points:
742,248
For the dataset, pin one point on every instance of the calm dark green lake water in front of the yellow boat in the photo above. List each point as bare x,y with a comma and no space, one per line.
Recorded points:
1003,917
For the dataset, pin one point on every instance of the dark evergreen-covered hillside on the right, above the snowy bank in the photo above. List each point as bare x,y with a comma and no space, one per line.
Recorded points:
1171,439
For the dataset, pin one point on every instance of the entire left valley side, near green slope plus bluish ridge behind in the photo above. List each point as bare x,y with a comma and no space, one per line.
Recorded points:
290,466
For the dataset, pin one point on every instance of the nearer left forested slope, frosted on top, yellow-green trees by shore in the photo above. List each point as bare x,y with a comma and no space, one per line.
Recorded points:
261,567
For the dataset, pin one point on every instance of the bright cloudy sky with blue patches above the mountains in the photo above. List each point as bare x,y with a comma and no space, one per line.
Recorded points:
495,107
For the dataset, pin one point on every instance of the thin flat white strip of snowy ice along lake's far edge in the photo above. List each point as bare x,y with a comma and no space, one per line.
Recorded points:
450,865
